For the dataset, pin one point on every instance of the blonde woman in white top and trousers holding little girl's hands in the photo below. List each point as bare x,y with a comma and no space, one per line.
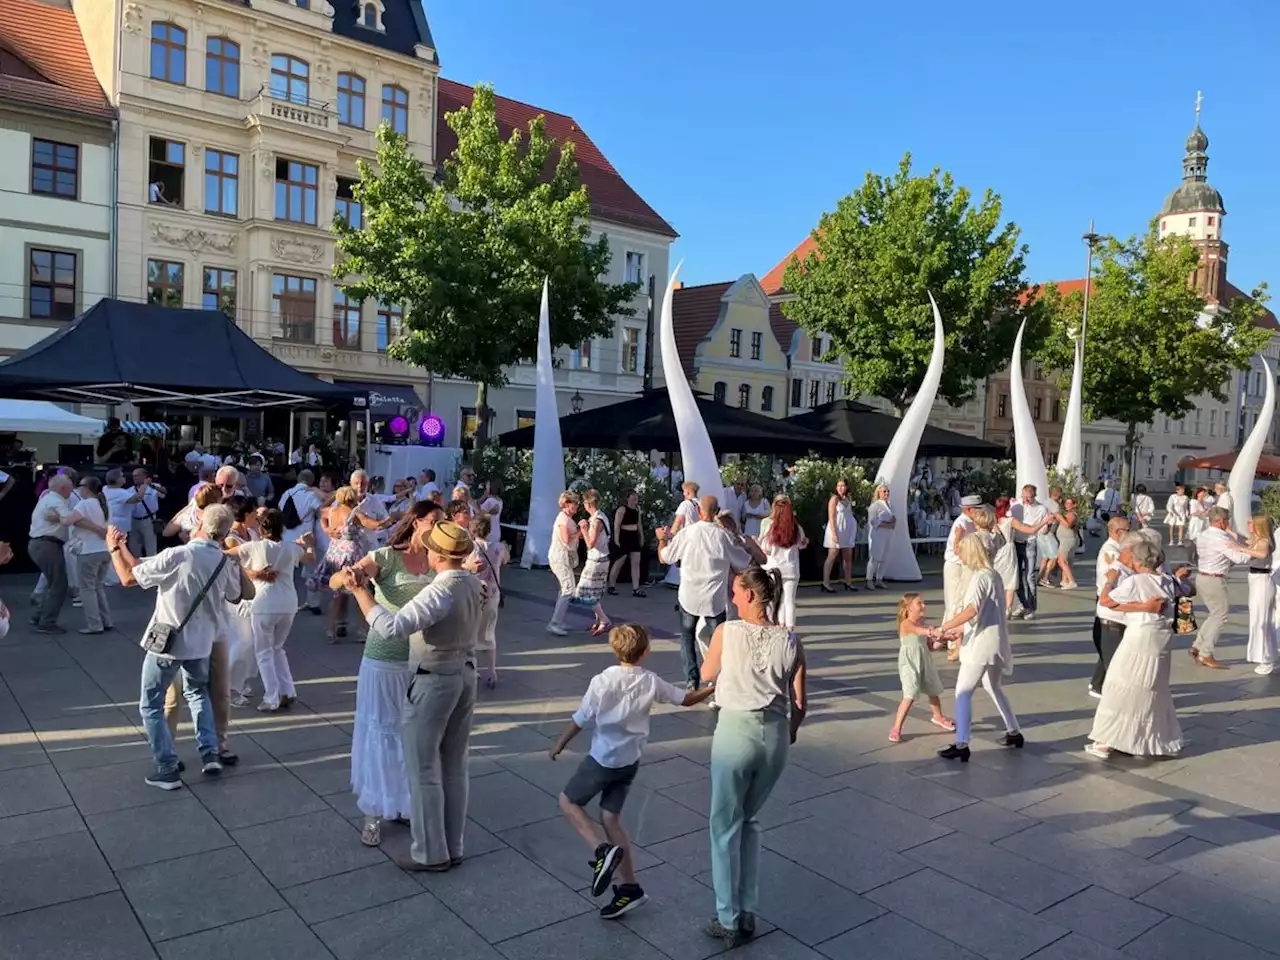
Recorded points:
986,656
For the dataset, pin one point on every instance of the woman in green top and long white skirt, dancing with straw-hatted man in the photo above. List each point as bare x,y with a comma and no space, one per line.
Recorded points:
399,573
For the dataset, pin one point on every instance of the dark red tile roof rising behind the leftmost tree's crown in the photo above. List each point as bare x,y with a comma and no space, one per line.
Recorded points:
612,198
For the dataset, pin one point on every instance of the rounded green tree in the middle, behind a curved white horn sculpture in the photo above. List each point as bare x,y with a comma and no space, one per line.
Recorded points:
879,255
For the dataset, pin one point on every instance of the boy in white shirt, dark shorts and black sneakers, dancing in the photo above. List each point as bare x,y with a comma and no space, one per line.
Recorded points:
618,702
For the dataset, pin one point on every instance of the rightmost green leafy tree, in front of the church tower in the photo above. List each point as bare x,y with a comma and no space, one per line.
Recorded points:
1151,346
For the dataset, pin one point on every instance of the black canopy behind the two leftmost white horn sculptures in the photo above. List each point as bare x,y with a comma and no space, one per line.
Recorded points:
647,424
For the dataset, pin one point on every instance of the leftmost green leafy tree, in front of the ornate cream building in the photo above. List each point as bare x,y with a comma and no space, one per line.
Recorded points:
467,253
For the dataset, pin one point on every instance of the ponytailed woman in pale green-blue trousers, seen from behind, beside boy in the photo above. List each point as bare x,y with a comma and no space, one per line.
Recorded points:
760,675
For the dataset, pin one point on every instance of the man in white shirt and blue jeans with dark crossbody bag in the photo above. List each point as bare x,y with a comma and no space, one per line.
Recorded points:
180,574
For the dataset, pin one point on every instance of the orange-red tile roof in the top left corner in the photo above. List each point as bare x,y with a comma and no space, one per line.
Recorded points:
48,39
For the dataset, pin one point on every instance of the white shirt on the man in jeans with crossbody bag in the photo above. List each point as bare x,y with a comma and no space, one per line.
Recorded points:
179,574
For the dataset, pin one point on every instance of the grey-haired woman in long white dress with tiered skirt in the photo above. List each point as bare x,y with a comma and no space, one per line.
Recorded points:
1136,714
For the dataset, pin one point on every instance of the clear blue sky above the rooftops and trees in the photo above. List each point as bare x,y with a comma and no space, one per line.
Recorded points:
742,122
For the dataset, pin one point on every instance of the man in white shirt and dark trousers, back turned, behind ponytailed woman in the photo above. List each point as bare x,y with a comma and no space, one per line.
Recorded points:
707,556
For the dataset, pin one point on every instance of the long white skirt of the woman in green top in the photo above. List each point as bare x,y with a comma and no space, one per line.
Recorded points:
378,776
